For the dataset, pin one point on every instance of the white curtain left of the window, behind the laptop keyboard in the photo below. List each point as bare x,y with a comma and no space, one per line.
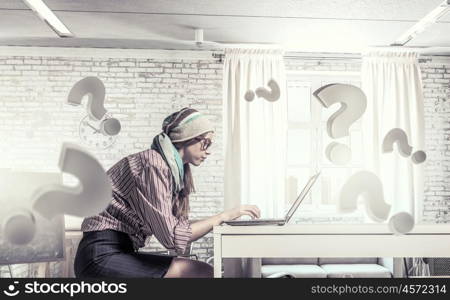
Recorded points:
254,132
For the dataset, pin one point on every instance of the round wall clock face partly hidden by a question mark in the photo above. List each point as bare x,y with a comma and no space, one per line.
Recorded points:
90,134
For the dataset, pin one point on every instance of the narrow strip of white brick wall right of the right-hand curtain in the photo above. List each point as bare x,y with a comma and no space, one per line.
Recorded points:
436,81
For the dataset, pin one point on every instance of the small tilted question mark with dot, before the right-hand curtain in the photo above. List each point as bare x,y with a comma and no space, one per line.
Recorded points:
399,137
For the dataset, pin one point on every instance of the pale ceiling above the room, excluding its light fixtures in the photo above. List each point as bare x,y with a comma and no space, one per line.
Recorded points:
295,25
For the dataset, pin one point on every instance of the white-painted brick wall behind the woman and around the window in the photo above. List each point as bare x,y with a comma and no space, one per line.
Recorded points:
140,92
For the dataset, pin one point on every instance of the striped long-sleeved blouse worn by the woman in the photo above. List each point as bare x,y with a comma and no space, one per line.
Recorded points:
141,203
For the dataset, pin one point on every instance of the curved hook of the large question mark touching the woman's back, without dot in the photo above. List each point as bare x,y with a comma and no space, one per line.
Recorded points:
88,198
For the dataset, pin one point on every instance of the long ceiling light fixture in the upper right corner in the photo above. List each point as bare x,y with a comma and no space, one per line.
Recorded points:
426,21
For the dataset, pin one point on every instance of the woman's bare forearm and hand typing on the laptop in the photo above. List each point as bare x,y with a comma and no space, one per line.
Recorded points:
202,227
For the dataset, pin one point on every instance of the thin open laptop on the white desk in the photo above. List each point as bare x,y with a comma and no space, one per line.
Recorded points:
289,214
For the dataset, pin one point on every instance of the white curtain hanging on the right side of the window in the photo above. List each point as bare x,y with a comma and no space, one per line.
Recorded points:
392,83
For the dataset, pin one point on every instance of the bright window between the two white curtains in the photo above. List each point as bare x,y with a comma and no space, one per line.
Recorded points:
307,140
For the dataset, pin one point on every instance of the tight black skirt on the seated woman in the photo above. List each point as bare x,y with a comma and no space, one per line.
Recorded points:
109,253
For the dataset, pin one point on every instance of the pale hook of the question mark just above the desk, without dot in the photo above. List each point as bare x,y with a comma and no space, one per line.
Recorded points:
369,186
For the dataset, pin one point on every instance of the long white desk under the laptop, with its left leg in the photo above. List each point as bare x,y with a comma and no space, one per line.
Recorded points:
331,240
